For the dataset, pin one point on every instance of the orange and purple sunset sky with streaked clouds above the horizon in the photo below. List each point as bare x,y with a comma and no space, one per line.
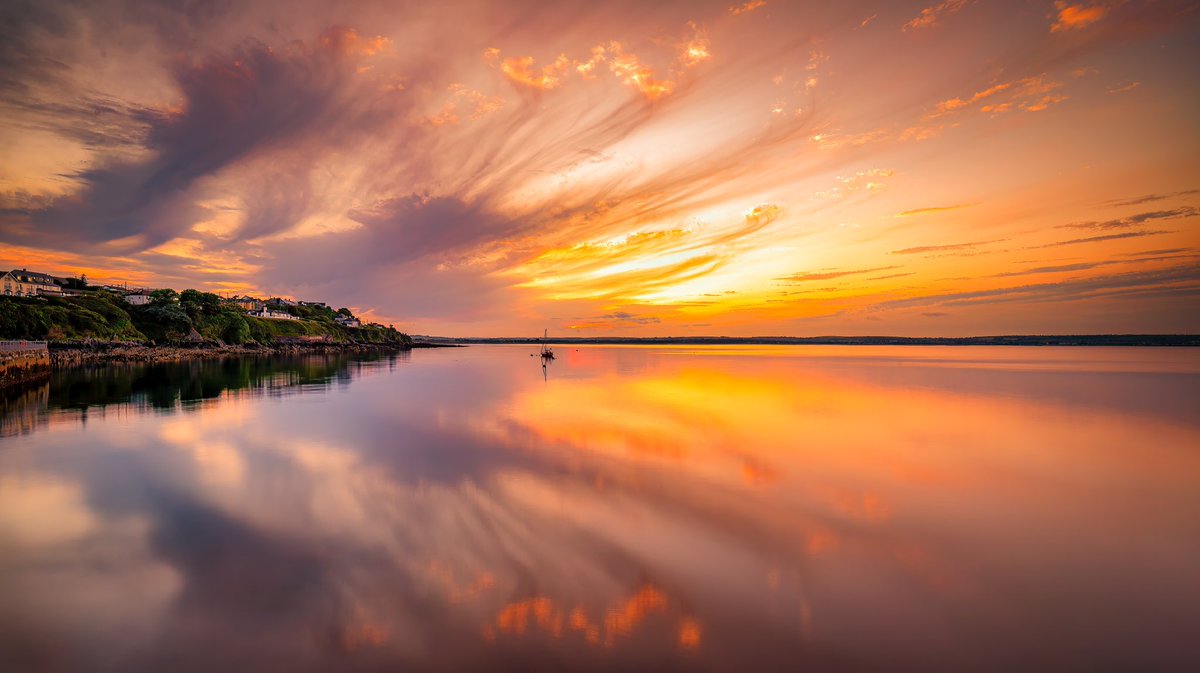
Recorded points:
965,167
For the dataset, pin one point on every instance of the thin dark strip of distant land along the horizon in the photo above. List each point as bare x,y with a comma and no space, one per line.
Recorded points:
1154,341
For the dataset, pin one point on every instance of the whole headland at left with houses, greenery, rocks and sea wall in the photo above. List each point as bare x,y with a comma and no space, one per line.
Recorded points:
50,322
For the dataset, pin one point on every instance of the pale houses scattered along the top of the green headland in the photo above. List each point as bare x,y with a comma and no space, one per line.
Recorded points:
26,284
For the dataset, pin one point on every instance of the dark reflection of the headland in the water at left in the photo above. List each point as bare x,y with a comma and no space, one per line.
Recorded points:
169,386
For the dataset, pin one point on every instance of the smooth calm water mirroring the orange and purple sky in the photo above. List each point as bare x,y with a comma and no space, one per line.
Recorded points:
717,509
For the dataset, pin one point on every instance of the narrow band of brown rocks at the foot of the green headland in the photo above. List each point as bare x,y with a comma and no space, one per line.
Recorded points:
75,354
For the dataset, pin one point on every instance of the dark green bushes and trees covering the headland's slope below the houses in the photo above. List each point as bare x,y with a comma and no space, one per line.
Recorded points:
172,317
